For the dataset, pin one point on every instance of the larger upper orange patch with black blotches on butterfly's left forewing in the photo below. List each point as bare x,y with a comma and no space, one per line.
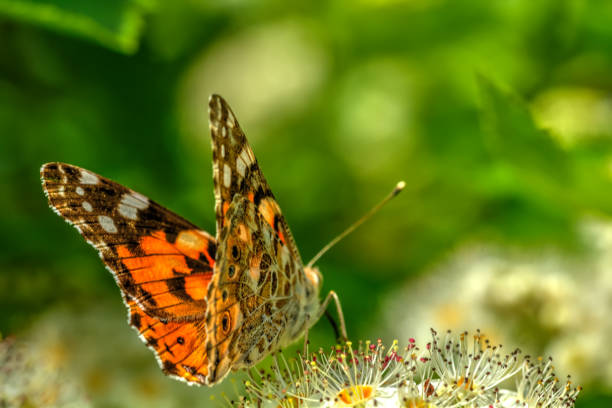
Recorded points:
169,280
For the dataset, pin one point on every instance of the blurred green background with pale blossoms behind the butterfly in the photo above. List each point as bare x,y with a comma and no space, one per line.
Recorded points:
497,114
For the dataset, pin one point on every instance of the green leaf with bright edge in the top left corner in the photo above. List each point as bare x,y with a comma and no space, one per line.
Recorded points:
116,24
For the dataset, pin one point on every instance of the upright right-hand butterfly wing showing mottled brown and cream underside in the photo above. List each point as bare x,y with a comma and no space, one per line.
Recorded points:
255,298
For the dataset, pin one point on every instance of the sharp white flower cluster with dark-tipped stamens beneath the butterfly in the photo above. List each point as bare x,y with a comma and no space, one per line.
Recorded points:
453,371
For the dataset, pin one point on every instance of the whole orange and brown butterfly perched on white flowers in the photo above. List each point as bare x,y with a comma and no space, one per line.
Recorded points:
205,305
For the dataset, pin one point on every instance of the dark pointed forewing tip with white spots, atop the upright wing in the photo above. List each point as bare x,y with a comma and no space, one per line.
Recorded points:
237,173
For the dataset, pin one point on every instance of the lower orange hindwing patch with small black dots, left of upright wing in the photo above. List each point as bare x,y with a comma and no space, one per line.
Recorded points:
179,346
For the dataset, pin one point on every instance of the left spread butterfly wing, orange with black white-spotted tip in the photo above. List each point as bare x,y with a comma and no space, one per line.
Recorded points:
162,263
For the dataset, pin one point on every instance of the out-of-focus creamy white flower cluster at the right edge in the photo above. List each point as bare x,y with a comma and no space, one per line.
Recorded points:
546,302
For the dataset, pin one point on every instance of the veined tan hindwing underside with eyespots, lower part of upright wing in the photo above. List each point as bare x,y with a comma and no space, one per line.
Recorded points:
254,296
